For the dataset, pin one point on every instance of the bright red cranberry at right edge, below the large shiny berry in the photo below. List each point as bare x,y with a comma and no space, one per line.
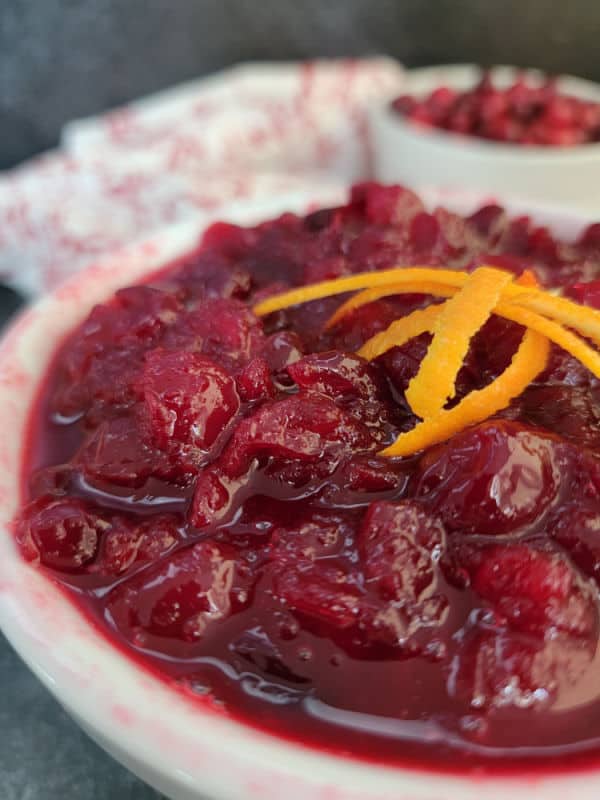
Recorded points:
536,592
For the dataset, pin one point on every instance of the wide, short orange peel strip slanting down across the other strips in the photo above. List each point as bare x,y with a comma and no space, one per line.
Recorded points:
454,327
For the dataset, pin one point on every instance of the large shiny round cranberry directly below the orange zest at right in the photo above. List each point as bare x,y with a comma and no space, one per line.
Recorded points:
492,479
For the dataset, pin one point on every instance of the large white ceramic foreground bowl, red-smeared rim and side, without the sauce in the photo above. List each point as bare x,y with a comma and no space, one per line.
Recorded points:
182,748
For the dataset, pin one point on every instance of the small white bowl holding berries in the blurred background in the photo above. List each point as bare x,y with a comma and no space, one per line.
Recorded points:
419,156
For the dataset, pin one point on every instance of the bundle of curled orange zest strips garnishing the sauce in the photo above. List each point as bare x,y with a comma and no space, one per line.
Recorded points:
470,300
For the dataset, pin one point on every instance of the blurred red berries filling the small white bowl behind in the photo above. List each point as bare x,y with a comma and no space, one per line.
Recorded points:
521,113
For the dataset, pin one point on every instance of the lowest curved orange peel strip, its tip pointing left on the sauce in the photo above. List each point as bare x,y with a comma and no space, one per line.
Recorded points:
529,360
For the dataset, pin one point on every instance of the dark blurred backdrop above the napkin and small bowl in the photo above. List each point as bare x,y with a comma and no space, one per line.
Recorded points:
61,59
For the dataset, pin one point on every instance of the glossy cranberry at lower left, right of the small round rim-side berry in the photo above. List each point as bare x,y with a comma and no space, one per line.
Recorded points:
179,598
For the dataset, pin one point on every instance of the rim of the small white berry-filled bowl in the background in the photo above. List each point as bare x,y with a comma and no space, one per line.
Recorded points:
421,80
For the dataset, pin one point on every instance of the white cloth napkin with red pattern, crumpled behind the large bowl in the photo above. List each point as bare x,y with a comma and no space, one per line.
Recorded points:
242,136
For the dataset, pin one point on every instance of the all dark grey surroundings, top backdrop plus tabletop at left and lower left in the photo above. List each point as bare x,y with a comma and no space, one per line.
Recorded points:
61,59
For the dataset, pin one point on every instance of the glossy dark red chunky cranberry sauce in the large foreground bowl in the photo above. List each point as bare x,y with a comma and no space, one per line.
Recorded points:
207,487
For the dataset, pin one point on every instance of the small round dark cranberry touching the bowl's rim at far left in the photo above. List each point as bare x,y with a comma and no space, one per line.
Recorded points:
62,534
